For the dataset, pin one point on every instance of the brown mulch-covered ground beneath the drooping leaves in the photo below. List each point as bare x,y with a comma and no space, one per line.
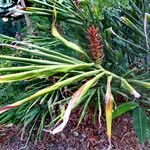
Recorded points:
86,137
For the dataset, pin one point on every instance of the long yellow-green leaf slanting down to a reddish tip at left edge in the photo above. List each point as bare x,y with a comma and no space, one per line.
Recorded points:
49,89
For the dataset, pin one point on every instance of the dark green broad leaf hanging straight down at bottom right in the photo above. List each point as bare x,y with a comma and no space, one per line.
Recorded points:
140,123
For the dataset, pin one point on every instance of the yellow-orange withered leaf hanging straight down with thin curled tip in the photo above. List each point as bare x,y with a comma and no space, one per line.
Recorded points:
109,109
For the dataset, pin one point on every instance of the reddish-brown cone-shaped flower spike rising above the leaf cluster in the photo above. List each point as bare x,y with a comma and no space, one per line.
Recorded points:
95,44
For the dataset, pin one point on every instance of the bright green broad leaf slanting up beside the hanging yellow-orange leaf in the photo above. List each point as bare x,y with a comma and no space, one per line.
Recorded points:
123,108
